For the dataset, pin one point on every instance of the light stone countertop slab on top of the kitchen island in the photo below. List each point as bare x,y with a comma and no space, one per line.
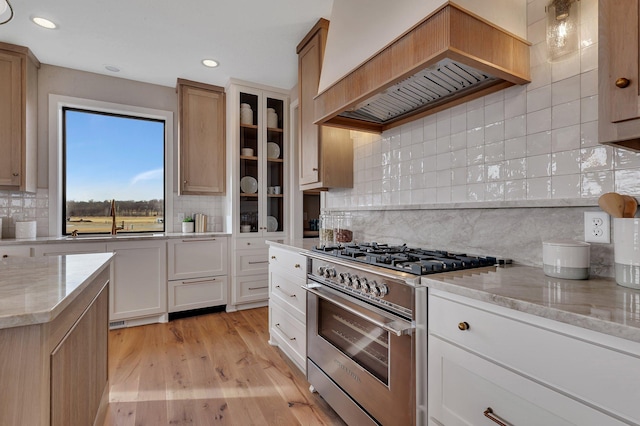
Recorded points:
35,290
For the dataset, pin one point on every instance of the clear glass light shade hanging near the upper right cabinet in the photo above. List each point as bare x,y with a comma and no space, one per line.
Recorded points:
563,18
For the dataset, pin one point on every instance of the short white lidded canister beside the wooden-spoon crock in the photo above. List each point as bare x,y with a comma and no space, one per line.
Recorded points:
567,259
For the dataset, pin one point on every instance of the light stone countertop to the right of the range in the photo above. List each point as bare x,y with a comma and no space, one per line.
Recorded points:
597,304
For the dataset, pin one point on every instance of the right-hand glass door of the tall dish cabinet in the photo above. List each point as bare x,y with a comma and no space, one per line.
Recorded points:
275,153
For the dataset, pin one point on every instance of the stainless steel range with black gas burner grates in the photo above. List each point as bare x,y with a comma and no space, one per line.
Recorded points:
361,326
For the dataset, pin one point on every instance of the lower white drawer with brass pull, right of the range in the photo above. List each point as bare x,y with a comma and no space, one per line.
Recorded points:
462,386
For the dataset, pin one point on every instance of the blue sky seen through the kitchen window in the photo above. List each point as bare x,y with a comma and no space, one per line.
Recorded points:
113,157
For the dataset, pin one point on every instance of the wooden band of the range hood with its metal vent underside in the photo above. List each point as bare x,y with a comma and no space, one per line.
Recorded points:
450,57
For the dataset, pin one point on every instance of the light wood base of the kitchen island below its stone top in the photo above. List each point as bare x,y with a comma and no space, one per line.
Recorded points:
56,373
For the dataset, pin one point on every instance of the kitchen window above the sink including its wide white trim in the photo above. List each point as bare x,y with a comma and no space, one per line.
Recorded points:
101,151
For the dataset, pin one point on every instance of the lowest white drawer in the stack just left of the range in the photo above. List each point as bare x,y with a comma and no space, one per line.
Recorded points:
291,333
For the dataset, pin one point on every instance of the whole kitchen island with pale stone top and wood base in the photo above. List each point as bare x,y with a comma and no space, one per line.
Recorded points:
54,330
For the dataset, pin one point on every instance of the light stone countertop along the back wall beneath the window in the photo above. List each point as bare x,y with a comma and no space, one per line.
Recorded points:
110,238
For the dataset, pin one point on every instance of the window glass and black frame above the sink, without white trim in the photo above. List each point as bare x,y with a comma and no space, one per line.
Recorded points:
112,156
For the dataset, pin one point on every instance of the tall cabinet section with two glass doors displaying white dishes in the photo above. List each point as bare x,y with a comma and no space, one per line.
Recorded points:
260,169
